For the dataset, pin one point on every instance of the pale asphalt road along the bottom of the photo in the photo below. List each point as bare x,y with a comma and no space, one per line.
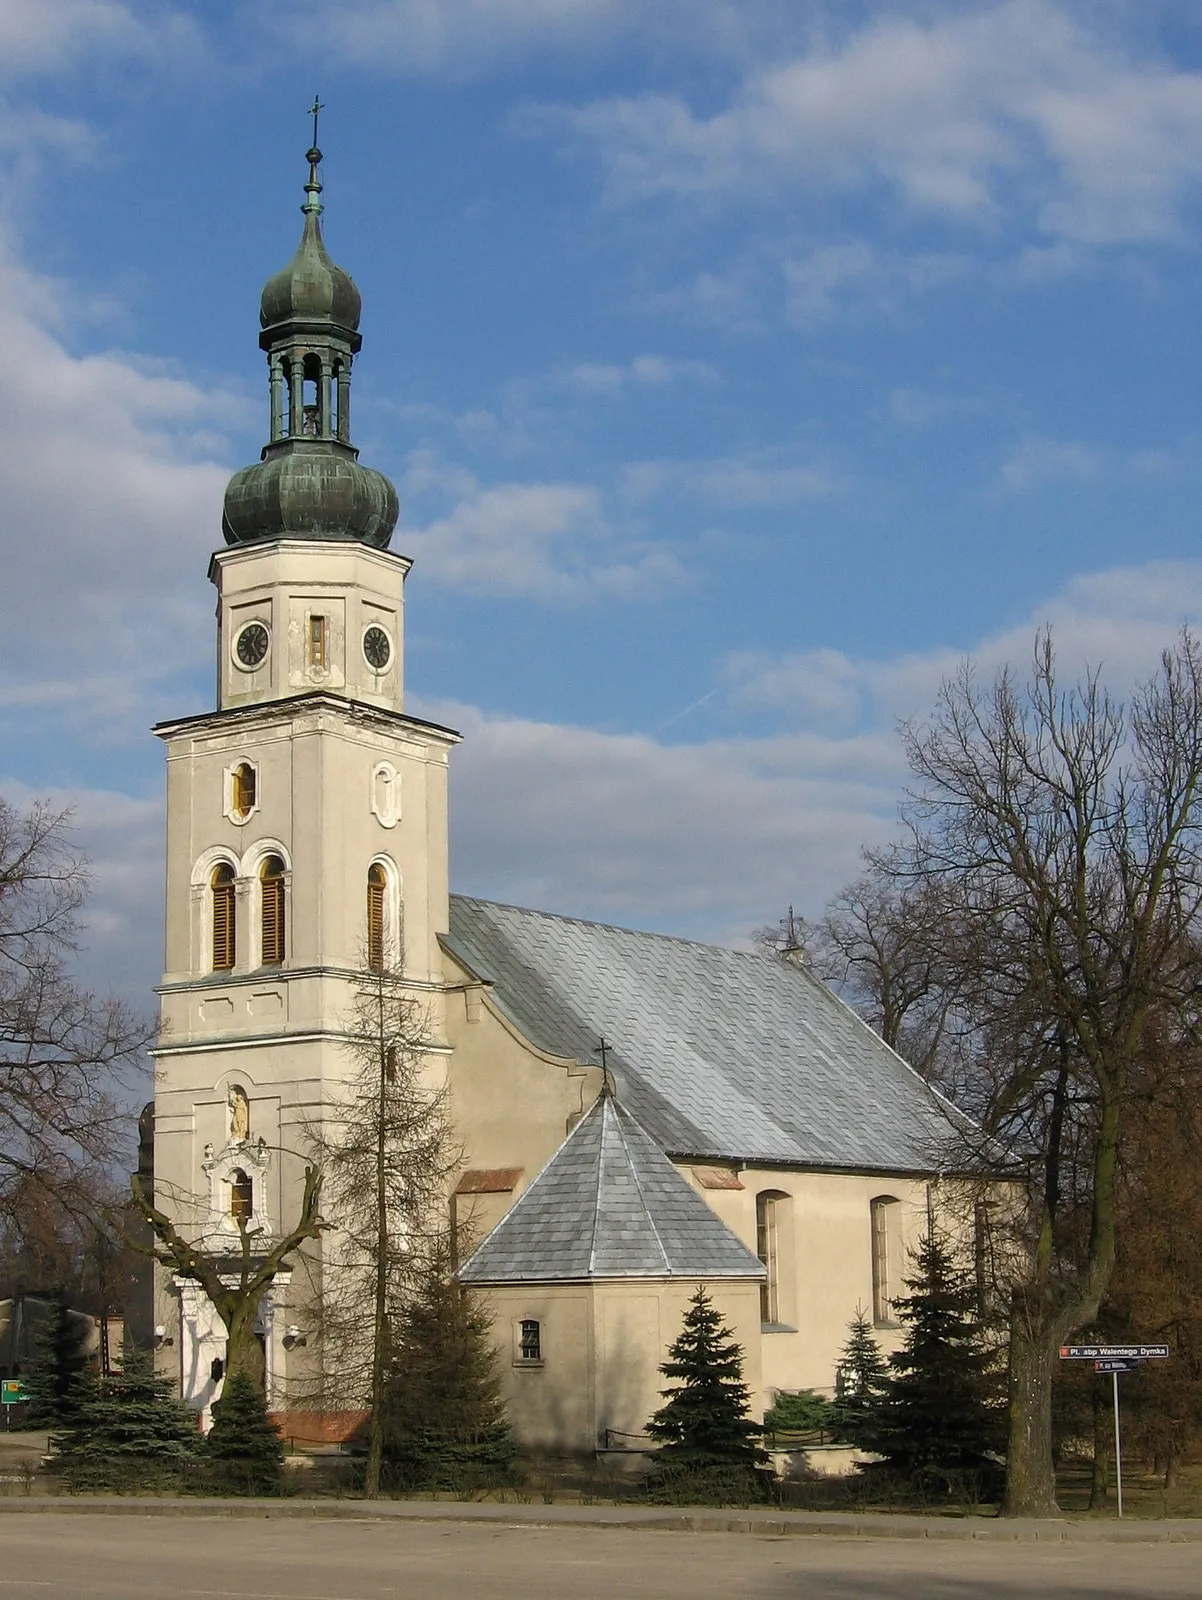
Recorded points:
81,1558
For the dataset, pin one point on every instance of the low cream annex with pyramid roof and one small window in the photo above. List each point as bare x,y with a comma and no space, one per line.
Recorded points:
588,1278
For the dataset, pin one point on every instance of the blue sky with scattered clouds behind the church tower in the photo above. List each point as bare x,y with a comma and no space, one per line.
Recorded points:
740,366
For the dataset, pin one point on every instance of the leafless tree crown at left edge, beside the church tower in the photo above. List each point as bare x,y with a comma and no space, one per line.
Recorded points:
65,1054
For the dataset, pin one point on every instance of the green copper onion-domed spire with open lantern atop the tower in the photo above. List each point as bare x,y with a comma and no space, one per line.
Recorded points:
308,482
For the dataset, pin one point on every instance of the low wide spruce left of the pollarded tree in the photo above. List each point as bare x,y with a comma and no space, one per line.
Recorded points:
130,1433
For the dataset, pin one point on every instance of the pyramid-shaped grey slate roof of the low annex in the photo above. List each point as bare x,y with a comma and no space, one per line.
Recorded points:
609,1206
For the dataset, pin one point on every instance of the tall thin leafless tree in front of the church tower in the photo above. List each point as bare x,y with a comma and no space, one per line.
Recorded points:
387,1153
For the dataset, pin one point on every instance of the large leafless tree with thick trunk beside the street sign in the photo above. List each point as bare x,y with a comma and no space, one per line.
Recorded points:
1060,841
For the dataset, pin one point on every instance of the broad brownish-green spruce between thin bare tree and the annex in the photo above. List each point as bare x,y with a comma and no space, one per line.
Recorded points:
444,1423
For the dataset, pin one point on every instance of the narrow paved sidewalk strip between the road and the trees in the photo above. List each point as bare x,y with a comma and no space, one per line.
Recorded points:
763,1522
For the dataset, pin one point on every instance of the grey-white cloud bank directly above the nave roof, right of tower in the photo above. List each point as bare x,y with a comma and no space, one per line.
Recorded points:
705,839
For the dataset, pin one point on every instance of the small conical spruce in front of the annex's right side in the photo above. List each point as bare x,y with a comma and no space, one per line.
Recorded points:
708,1444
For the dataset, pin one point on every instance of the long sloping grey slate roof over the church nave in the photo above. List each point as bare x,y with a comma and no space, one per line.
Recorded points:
719,1054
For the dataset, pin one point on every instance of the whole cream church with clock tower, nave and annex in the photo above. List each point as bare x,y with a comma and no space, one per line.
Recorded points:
636,1114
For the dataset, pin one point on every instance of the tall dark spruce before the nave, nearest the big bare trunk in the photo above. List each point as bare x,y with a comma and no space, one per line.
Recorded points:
939,1418
